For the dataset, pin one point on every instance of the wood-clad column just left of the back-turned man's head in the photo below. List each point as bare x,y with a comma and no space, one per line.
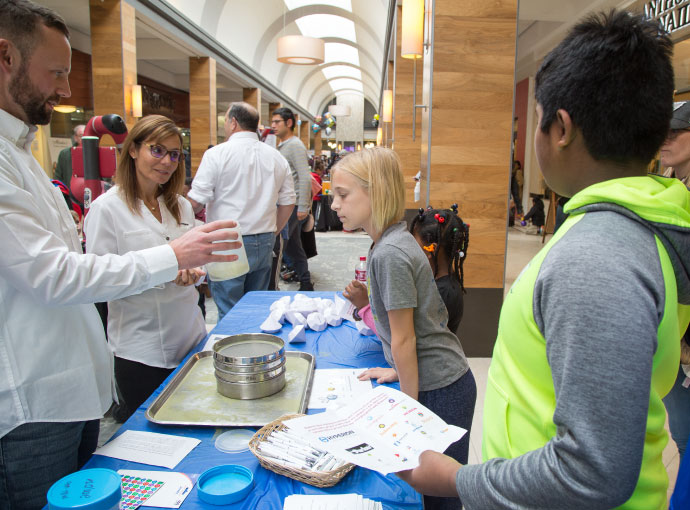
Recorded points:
202,107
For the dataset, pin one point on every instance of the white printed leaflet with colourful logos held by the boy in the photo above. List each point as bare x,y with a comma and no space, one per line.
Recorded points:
383,430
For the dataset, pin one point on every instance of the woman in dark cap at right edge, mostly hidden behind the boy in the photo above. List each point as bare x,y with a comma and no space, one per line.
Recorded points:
675,157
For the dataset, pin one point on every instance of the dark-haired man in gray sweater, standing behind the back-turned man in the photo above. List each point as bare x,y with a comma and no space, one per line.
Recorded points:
292,148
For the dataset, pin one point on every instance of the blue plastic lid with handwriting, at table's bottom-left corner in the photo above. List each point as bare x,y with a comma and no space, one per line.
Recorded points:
90,489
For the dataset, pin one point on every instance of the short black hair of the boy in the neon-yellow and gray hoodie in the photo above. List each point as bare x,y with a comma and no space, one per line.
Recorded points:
614,76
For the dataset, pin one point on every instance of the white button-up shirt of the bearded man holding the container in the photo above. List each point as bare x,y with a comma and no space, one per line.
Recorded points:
55,364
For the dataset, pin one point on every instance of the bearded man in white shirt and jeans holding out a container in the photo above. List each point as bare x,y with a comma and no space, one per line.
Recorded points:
55,366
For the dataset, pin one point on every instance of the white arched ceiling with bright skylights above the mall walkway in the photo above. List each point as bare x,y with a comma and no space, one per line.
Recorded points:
353,32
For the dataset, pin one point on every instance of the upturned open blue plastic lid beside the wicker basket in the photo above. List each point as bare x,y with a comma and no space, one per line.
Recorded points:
225,484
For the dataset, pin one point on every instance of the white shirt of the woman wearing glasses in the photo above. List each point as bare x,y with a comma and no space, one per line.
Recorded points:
159,326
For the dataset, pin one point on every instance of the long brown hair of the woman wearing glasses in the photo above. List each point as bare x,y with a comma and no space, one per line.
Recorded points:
153,129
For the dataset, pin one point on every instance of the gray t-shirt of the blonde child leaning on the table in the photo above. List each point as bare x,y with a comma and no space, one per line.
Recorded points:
400,277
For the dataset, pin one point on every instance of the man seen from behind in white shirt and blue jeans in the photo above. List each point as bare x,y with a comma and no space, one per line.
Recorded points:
243,179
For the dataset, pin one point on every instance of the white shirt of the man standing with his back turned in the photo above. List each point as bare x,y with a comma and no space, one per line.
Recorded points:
243,179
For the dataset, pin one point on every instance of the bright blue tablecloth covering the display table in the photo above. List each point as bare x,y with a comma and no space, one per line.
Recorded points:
341,347
